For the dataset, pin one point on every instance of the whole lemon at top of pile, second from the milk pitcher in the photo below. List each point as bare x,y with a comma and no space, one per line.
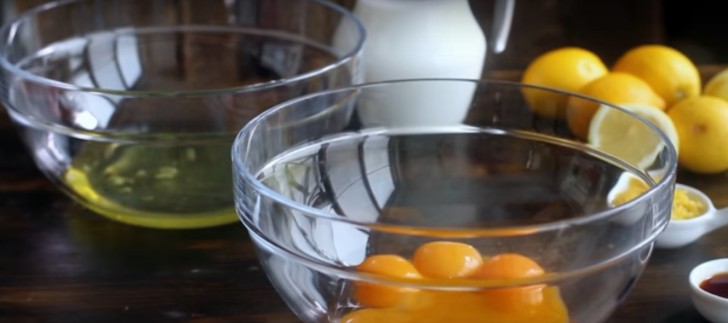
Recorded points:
670,73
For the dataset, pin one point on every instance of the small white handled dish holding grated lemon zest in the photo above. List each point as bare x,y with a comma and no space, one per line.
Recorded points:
679,233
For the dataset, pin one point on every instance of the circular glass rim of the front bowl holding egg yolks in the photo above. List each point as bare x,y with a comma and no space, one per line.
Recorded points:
241,170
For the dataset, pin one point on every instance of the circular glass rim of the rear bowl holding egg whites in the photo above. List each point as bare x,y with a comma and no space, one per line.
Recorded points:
8,33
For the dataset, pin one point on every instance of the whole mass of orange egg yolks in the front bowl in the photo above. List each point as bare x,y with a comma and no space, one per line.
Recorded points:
445,260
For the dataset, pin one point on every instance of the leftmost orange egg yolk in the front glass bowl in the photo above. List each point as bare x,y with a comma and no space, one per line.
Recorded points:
379,295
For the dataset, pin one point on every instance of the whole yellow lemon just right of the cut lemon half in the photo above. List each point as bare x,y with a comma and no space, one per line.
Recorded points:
702,126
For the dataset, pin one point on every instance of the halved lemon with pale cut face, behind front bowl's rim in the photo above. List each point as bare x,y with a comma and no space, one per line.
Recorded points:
621,135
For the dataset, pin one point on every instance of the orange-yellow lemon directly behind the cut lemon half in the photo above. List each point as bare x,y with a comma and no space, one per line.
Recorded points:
615,88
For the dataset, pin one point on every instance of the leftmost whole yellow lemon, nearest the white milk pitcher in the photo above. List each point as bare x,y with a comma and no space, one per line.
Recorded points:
568,69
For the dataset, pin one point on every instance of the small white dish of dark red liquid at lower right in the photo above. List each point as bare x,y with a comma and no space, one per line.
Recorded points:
712,307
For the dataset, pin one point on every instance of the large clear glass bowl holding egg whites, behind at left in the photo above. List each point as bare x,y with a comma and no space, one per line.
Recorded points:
130,107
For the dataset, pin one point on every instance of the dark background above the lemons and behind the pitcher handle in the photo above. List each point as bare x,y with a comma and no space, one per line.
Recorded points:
698,28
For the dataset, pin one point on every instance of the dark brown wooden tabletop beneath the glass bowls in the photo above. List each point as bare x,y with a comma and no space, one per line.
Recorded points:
61,263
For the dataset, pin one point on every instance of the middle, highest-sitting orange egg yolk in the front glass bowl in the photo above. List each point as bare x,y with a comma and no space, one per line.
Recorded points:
446,259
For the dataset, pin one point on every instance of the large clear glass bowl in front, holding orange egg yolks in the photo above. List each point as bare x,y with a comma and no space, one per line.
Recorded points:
320,188
